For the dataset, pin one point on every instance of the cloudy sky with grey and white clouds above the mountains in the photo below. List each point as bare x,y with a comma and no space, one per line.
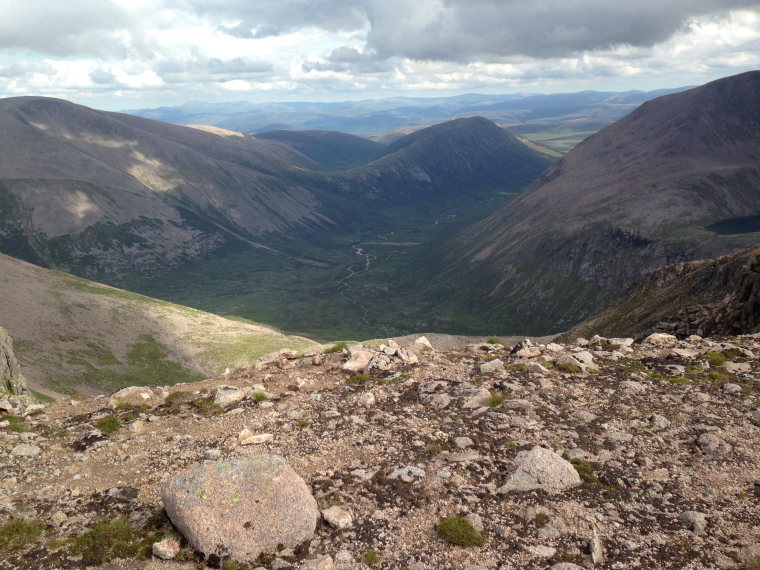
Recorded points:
128,54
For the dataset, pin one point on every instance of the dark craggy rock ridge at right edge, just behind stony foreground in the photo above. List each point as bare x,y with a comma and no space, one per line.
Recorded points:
711,297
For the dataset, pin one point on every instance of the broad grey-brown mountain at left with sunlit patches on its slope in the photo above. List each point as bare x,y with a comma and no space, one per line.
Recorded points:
105,192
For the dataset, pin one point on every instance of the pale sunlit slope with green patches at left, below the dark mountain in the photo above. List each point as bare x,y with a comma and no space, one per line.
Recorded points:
74,335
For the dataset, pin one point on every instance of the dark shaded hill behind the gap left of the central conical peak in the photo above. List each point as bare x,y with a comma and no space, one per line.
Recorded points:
333,150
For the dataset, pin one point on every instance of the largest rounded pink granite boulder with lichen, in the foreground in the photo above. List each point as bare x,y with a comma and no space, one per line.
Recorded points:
241,508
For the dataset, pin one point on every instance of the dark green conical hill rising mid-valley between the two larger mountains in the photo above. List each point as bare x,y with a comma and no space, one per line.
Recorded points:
464,157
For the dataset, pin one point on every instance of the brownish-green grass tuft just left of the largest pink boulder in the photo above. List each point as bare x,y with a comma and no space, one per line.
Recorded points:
109,540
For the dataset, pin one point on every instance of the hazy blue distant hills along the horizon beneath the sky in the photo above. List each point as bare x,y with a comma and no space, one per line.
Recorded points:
552,118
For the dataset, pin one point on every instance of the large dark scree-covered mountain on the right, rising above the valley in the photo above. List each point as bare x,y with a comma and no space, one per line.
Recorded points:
663,185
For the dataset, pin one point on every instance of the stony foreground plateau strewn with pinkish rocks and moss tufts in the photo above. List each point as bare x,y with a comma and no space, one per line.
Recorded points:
597,454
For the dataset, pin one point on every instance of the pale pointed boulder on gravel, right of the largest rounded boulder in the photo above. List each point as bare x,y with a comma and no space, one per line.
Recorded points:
541,468
